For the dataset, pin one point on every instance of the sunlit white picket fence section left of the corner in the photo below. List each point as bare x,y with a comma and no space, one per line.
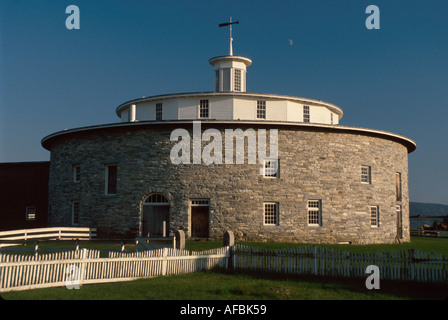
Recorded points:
19,272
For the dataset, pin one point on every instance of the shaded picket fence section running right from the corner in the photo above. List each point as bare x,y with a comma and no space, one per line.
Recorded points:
405,265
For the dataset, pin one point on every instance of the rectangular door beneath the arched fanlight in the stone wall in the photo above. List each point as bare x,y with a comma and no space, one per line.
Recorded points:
153,218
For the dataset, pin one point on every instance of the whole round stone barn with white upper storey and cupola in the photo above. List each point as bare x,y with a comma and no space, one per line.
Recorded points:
267,167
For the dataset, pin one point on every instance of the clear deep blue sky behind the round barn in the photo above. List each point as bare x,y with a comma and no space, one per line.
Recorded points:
393,79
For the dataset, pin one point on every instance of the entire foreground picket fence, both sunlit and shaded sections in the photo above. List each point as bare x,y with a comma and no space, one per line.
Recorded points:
22,272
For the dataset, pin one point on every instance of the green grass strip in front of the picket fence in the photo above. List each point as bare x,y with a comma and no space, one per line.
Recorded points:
243,286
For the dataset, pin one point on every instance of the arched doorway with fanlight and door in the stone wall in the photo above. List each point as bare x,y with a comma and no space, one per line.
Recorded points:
155,216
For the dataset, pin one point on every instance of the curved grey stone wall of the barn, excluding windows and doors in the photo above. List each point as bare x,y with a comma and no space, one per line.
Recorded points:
315,164
